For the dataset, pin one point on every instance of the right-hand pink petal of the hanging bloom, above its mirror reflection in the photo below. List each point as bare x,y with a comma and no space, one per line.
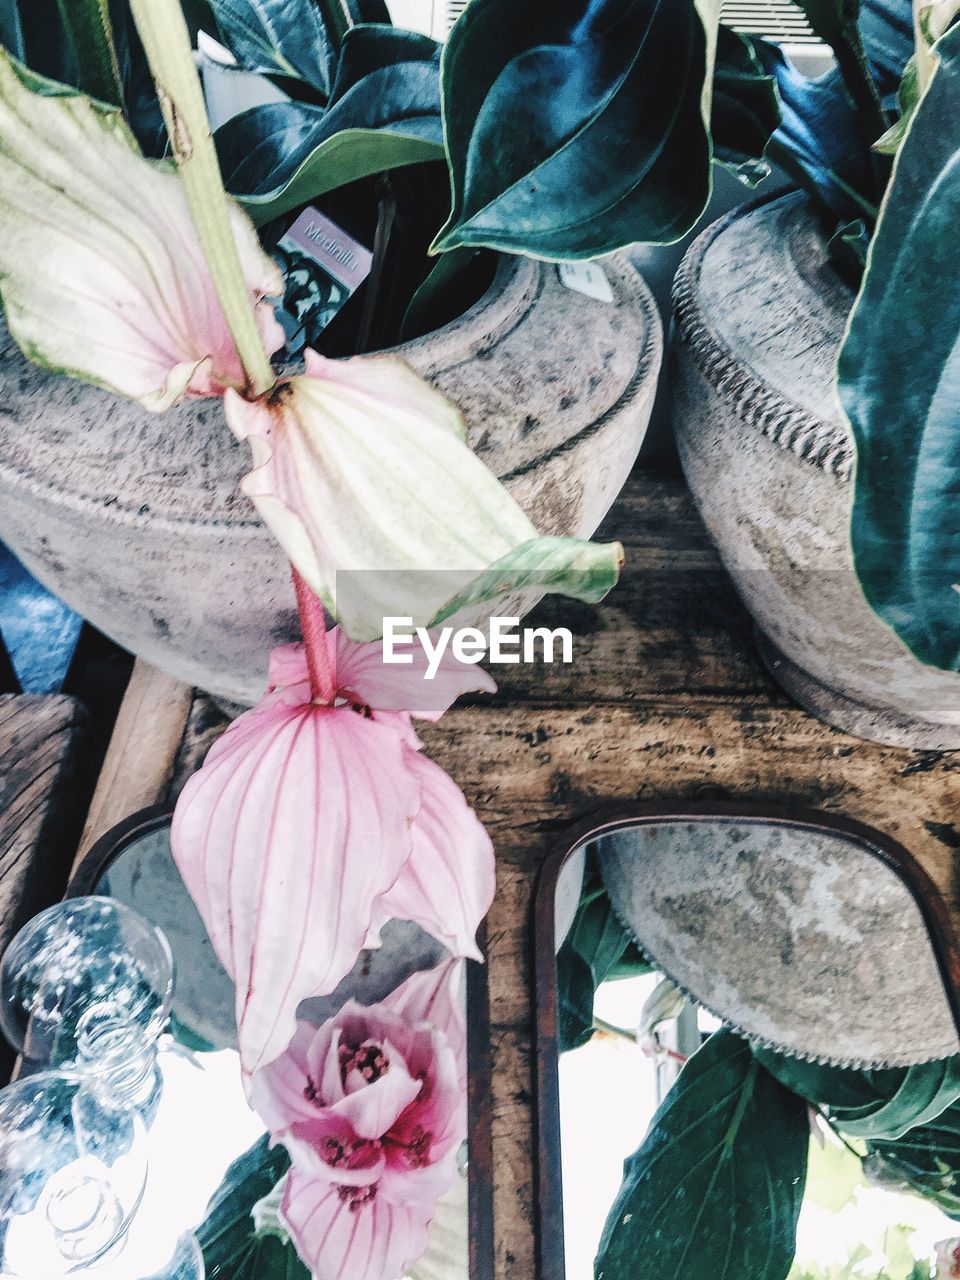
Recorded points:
450,880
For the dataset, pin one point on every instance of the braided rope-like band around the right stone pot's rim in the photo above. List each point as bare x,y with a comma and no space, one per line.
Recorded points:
825,445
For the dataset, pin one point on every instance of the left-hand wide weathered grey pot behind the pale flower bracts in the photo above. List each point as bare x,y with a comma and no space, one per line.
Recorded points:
136,519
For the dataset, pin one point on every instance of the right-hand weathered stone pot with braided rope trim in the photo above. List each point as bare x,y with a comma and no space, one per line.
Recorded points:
760,319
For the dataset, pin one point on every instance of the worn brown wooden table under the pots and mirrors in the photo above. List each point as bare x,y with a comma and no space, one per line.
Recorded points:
666,701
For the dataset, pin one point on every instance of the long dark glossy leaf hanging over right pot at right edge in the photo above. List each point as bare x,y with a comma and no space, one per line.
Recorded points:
899,382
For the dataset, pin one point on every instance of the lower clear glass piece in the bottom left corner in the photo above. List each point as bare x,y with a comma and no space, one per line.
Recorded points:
74,1167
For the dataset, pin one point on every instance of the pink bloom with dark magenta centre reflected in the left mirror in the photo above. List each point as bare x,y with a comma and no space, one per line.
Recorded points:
372,1108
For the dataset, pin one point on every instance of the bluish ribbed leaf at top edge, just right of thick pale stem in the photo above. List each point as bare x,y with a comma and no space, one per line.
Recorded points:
286,39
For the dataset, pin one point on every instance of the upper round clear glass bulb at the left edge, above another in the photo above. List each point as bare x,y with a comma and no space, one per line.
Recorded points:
84,979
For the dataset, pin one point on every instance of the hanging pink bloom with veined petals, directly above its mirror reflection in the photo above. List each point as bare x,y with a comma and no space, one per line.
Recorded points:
314,821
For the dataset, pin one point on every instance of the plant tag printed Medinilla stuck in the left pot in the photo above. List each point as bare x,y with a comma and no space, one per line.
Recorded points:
322,268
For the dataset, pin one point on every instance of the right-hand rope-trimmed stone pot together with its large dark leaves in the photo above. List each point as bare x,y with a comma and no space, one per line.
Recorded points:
833,513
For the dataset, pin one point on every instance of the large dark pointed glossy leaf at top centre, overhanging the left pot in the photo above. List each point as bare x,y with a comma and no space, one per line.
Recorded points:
577,127
